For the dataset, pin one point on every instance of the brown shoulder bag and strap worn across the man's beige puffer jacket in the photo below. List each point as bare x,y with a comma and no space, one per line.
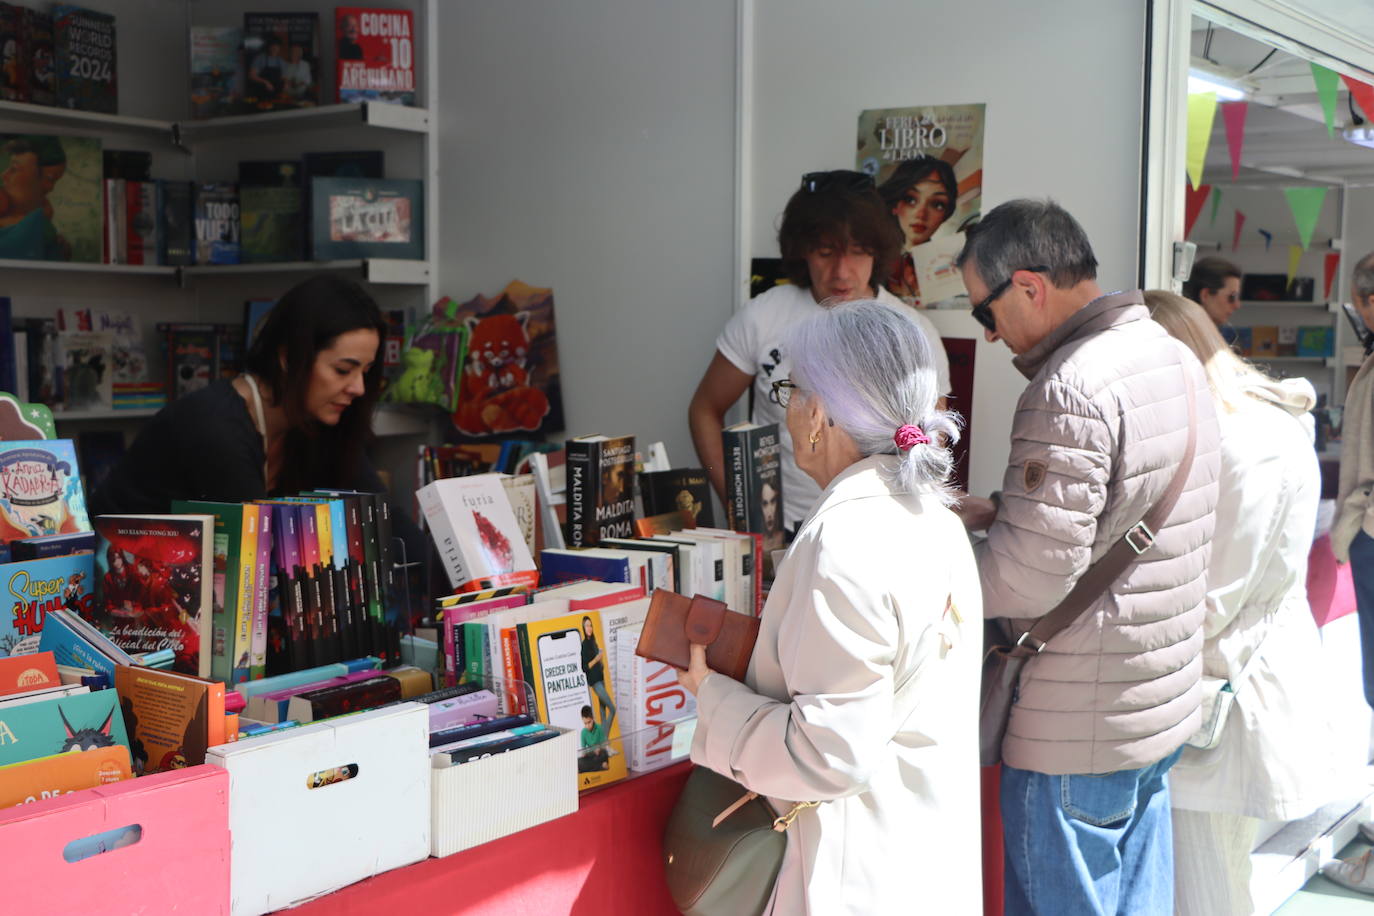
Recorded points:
1002,660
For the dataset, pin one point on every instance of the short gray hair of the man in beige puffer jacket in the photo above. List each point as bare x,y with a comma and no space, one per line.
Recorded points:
1030,234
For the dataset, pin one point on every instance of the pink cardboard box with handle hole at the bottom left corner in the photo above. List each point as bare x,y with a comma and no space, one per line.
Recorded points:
178,860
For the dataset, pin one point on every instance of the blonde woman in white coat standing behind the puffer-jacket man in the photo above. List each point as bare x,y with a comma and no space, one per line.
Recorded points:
1262,643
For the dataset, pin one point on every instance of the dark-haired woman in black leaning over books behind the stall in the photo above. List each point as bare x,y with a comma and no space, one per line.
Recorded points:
297,418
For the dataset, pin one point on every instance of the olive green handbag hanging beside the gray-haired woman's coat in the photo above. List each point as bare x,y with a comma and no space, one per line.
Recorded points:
723,848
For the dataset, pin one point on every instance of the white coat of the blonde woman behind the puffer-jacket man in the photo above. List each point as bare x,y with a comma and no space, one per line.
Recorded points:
1273,757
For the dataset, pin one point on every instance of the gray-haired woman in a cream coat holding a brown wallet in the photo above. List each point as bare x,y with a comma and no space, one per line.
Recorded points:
862,693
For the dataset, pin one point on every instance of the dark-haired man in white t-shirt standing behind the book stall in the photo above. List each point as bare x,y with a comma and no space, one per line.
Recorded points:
835,237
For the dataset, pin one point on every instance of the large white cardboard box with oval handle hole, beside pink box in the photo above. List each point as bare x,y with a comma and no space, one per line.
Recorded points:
293,843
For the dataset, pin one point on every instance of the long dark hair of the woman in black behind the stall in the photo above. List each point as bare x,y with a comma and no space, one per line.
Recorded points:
306,321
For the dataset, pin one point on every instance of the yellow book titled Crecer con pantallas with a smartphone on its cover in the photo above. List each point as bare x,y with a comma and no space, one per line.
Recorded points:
572,679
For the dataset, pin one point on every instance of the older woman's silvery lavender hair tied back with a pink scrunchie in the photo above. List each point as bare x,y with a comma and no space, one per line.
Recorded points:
875,371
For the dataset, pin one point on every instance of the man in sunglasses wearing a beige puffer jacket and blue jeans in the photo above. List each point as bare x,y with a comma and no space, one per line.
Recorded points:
1099,433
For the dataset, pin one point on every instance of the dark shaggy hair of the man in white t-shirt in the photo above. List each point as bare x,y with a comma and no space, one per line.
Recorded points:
837,218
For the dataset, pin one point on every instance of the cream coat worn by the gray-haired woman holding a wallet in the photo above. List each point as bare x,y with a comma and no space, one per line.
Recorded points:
864,694
